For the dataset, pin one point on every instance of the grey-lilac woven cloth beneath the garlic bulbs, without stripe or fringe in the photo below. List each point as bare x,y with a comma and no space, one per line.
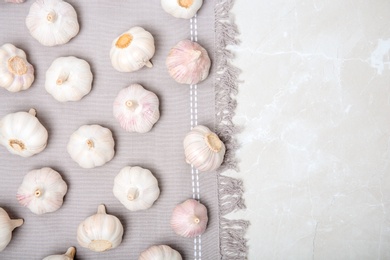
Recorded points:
159,150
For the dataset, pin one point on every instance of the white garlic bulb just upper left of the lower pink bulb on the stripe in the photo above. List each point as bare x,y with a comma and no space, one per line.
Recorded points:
136,188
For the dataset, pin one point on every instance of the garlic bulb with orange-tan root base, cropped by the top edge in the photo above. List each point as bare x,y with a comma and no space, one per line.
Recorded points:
185,9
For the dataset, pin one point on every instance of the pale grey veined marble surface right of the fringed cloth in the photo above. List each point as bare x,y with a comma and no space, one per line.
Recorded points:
315,107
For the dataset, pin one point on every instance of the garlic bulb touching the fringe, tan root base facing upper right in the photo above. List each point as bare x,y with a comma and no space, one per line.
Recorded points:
203,149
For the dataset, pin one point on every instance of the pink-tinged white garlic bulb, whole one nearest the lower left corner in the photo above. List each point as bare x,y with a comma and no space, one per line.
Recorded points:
42,191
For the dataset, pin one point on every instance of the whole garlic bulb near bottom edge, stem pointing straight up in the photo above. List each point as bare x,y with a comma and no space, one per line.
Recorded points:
100,232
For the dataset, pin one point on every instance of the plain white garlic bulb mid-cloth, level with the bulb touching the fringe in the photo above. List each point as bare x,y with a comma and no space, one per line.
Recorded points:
91,146
